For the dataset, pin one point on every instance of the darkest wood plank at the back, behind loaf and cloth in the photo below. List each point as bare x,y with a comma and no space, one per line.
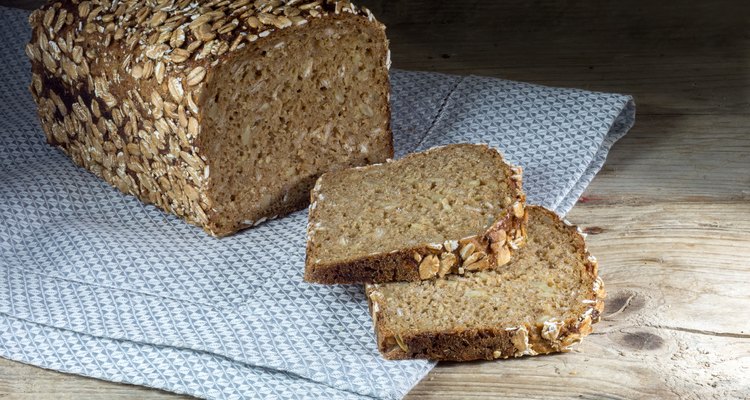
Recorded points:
692,58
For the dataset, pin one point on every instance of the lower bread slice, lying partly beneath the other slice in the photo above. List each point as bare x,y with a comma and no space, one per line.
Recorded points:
542,301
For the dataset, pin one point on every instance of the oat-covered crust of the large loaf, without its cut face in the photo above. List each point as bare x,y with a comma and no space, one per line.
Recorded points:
119,87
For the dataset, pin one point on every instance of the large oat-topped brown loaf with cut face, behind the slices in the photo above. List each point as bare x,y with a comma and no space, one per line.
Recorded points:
223,113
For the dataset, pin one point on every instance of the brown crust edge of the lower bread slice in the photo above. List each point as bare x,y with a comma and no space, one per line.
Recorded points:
494,342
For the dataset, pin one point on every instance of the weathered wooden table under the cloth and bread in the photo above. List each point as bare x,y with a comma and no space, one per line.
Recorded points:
668,216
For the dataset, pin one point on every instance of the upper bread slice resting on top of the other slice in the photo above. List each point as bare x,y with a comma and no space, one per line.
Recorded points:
446,210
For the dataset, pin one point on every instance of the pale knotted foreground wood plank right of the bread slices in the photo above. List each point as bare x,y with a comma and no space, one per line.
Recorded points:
677,276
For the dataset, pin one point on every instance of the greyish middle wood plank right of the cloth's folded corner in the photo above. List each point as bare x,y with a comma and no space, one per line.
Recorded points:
677,158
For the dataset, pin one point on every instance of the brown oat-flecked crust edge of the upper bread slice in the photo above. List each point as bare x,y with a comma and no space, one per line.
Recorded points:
499,242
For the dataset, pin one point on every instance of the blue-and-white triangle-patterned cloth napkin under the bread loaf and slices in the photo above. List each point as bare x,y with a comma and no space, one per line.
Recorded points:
95,283
